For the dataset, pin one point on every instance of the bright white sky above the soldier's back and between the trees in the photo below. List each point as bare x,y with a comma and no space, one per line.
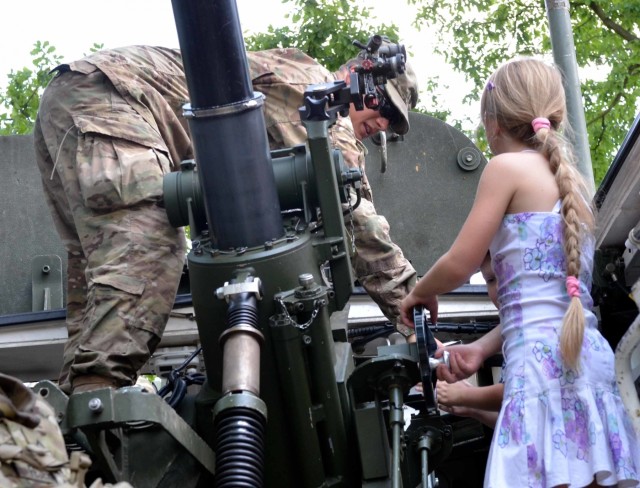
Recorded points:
73,26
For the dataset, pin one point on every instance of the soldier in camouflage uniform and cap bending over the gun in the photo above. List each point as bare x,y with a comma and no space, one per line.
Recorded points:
109,127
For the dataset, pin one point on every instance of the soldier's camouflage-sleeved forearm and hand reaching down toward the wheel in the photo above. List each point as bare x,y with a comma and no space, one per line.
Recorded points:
378,263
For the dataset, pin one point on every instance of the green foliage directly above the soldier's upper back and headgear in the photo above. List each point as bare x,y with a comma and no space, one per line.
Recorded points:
324,29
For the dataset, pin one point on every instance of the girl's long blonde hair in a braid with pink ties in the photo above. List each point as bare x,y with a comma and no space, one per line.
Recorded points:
517,93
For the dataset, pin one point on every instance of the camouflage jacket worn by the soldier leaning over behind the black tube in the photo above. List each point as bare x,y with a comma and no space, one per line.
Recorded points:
152,81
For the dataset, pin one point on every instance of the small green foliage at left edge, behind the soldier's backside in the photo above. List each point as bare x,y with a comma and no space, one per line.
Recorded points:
19,101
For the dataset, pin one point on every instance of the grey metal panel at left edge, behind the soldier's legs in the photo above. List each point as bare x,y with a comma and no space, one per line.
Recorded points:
26,226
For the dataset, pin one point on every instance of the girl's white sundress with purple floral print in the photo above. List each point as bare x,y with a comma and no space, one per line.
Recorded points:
557,426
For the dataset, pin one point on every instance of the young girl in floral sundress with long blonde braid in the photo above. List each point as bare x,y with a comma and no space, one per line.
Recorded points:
562,422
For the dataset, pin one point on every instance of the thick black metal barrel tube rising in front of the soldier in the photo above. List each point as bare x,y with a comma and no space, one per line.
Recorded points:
227,126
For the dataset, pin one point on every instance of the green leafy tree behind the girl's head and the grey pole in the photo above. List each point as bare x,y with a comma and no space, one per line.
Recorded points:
476,36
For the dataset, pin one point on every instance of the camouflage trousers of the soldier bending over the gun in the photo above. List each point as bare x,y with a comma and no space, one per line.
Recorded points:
102,166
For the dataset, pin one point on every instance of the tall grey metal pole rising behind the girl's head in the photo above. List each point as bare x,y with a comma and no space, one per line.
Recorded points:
564,55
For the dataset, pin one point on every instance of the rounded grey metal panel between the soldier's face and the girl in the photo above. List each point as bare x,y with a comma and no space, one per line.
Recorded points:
424,193
